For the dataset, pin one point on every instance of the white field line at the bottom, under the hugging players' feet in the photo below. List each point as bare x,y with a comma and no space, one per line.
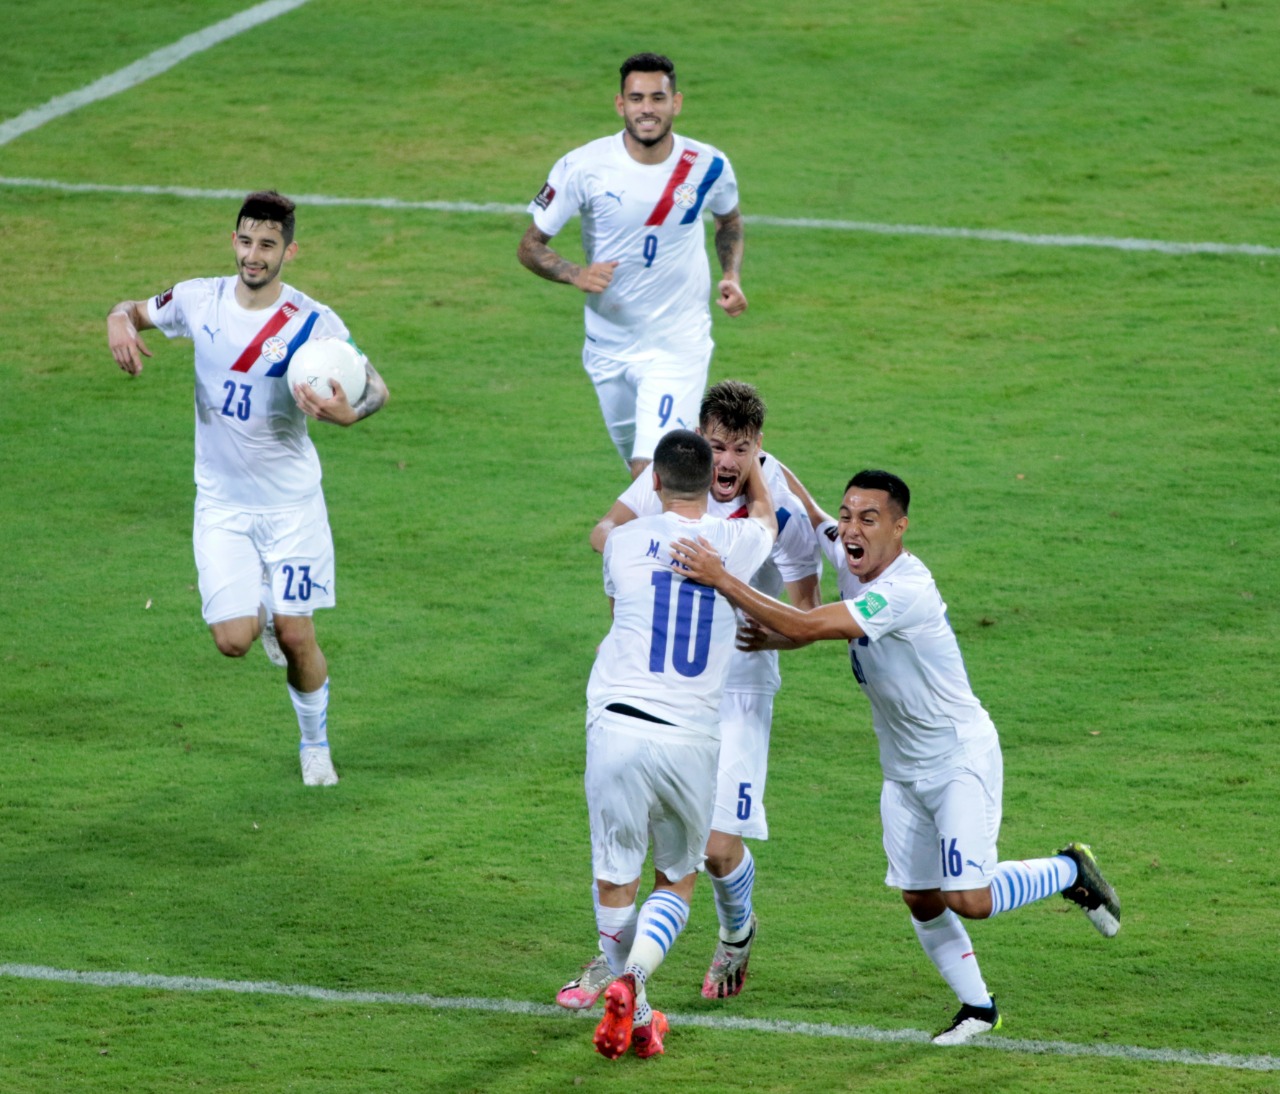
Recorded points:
705,1022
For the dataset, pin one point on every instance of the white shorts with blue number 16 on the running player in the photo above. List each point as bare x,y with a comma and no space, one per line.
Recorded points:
940,834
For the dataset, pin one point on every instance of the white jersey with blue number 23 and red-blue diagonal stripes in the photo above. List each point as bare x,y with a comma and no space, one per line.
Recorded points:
253,451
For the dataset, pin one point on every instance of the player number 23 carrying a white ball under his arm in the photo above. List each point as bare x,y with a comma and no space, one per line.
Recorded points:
264,551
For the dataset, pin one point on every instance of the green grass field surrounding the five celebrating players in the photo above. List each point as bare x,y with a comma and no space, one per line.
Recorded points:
1091,436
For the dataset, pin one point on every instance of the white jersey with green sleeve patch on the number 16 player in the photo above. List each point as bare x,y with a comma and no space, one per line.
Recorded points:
924,710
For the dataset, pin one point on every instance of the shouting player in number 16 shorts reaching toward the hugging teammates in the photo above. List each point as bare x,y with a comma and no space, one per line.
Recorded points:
944,779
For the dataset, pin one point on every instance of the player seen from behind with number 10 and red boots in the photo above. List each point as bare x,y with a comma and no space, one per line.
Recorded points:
653,726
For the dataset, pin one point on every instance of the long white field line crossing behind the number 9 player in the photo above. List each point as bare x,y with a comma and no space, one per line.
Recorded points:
985,235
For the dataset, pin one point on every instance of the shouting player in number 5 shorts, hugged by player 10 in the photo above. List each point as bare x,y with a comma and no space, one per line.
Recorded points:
732,418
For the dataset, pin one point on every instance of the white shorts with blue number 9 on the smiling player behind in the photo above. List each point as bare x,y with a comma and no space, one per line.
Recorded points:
644,400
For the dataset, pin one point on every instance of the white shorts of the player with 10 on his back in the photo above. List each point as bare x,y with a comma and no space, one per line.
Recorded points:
646,781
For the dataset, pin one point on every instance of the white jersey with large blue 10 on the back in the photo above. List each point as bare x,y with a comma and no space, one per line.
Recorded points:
669,651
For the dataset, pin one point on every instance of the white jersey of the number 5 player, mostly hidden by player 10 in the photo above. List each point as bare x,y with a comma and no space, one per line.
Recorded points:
794,556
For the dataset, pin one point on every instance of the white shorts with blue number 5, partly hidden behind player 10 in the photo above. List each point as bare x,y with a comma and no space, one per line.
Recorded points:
744,765
